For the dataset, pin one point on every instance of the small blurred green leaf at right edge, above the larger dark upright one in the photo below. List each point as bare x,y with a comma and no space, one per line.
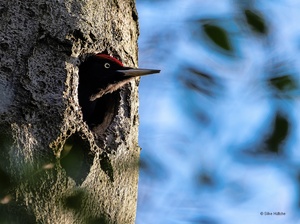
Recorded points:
284,83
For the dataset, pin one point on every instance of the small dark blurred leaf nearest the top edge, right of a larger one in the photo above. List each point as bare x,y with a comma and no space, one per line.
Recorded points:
256,22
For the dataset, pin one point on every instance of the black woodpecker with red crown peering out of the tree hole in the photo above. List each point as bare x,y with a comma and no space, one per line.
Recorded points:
101,74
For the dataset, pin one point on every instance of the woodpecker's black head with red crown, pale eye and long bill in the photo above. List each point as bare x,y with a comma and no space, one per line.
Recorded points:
102,74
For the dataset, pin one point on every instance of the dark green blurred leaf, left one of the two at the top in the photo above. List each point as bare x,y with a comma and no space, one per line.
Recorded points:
218,36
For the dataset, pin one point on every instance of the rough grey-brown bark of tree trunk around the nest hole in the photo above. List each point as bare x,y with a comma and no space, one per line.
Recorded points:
42,42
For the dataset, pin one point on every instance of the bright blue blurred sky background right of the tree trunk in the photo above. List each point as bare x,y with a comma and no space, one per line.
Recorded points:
206,152
